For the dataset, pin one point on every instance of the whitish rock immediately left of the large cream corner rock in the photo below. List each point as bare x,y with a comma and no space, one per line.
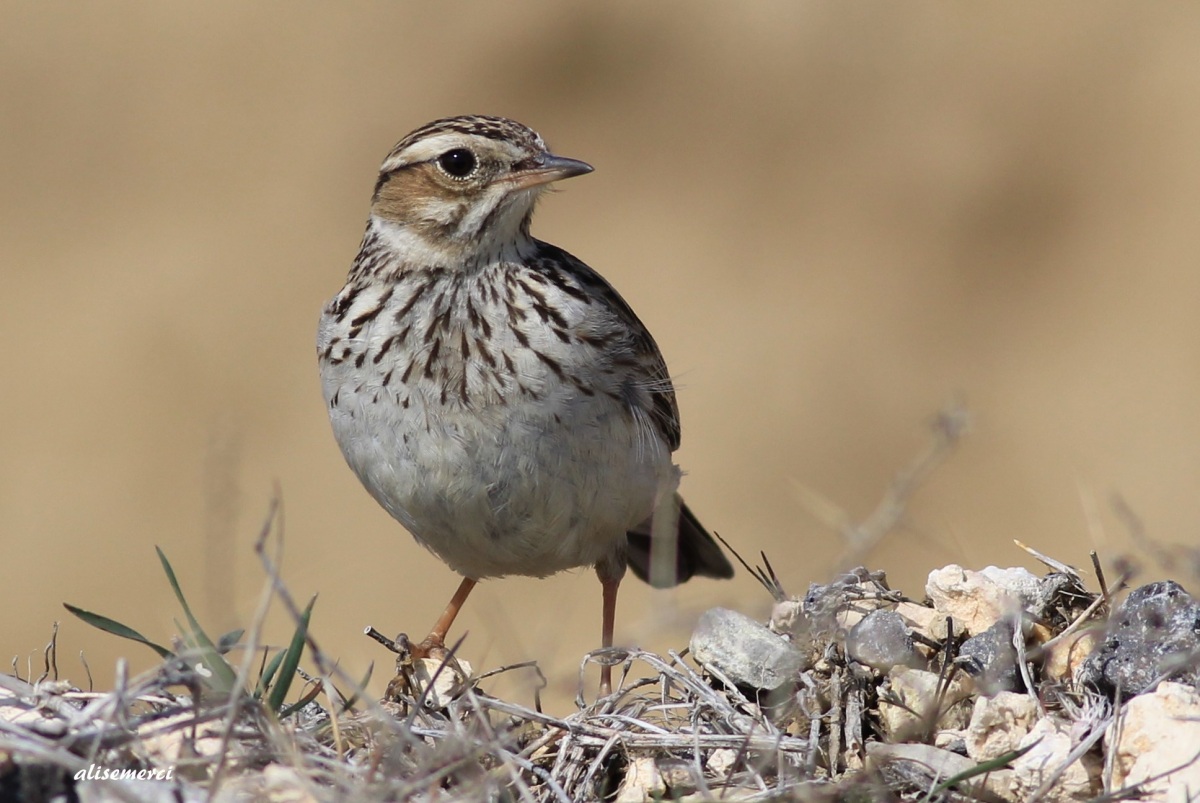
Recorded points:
1053,744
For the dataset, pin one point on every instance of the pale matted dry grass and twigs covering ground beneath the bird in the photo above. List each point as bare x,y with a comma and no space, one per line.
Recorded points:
705,736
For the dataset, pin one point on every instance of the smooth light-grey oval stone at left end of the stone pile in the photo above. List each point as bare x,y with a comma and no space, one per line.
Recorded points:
745,651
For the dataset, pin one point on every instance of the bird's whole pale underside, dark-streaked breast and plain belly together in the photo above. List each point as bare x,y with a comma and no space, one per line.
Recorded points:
503,418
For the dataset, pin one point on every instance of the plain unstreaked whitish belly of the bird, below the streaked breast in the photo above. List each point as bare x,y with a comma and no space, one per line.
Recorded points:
507,489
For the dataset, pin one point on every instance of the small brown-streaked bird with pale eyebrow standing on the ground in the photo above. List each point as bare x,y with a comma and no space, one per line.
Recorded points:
494,393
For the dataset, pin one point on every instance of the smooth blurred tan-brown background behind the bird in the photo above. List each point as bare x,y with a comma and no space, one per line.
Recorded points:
833,218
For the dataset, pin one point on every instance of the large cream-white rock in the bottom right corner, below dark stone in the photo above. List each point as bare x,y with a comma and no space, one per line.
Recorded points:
1160,733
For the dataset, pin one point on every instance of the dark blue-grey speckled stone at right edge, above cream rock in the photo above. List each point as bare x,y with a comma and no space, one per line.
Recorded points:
1154,636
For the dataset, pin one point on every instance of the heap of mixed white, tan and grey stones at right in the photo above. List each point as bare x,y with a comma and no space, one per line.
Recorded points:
998,666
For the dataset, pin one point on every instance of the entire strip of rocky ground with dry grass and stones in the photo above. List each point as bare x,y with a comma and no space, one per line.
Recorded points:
995,686
